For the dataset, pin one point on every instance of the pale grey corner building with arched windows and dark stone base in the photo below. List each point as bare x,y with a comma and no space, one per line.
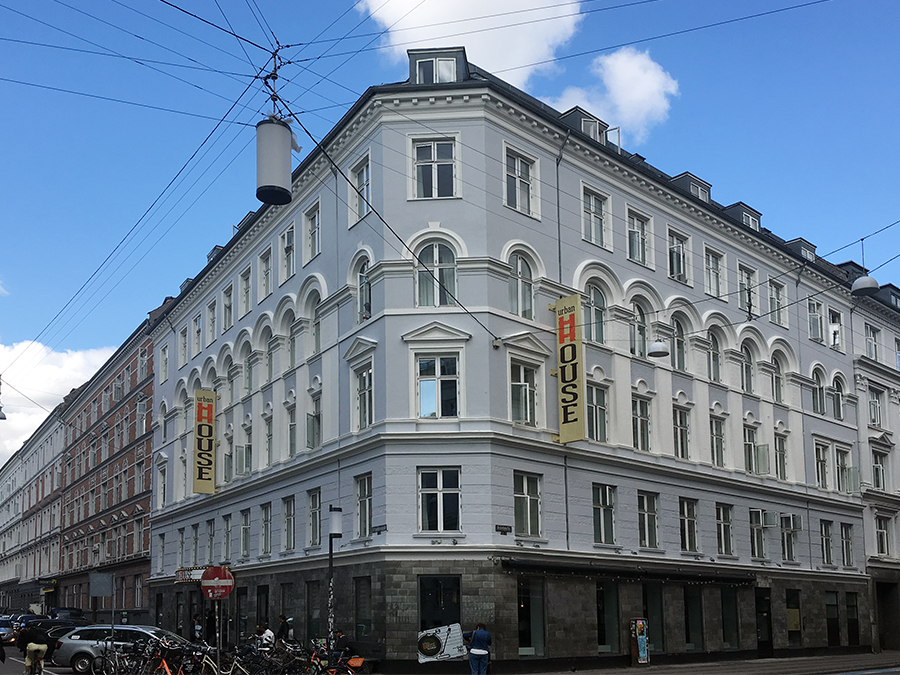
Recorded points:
402,368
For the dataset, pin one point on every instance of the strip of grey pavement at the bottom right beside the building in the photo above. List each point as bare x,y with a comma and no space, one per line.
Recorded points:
810,665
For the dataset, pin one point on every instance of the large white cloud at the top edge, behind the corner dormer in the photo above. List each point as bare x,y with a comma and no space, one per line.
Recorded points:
547,29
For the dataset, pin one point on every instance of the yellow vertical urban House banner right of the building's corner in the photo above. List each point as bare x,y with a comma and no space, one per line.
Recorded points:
570,364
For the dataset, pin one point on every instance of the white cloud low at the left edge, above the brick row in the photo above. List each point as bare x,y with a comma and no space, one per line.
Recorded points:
45,377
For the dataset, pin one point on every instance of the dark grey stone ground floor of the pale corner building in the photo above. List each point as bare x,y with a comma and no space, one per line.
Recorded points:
543,611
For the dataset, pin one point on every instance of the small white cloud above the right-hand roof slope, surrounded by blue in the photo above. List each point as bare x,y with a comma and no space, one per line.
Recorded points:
633,92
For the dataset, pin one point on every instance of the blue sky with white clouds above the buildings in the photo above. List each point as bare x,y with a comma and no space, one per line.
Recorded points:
108,105
